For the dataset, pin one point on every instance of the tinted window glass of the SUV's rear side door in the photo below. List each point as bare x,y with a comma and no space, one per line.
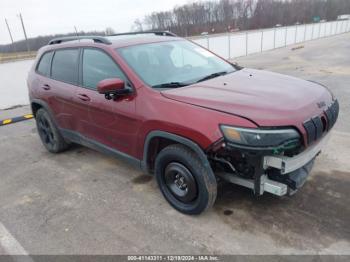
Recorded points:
65,66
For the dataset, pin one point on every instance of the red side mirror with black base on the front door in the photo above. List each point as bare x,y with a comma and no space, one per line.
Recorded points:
112,88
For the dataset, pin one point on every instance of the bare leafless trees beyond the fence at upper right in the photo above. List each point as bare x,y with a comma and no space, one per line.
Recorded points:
231,15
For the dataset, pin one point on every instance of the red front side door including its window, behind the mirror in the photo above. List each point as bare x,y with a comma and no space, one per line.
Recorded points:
108,122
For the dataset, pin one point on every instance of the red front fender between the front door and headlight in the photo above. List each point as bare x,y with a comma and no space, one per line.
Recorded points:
197,124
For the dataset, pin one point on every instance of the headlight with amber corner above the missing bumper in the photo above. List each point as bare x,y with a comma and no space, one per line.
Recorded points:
260,137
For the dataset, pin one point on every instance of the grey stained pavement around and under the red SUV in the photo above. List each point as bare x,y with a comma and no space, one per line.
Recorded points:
83,202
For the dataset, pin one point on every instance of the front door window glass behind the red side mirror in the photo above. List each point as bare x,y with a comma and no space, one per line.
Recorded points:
98,66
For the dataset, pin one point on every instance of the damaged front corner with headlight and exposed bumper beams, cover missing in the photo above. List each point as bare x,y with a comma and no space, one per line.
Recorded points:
264,160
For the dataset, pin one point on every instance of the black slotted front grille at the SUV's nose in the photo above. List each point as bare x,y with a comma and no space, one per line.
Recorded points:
315,127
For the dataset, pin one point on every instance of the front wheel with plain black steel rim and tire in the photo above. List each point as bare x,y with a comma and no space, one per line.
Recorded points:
184,181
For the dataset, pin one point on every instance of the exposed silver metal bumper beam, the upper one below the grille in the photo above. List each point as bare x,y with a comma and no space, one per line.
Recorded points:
289,164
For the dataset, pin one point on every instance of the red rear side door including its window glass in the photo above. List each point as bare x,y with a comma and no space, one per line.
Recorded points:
63,84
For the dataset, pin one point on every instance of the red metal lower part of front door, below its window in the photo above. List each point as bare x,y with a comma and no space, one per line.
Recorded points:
112,123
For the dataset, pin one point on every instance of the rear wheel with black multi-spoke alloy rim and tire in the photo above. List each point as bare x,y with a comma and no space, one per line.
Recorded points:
49,133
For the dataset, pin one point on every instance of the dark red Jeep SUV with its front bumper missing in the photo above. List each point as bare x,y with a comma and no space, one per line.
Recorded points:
180,112
